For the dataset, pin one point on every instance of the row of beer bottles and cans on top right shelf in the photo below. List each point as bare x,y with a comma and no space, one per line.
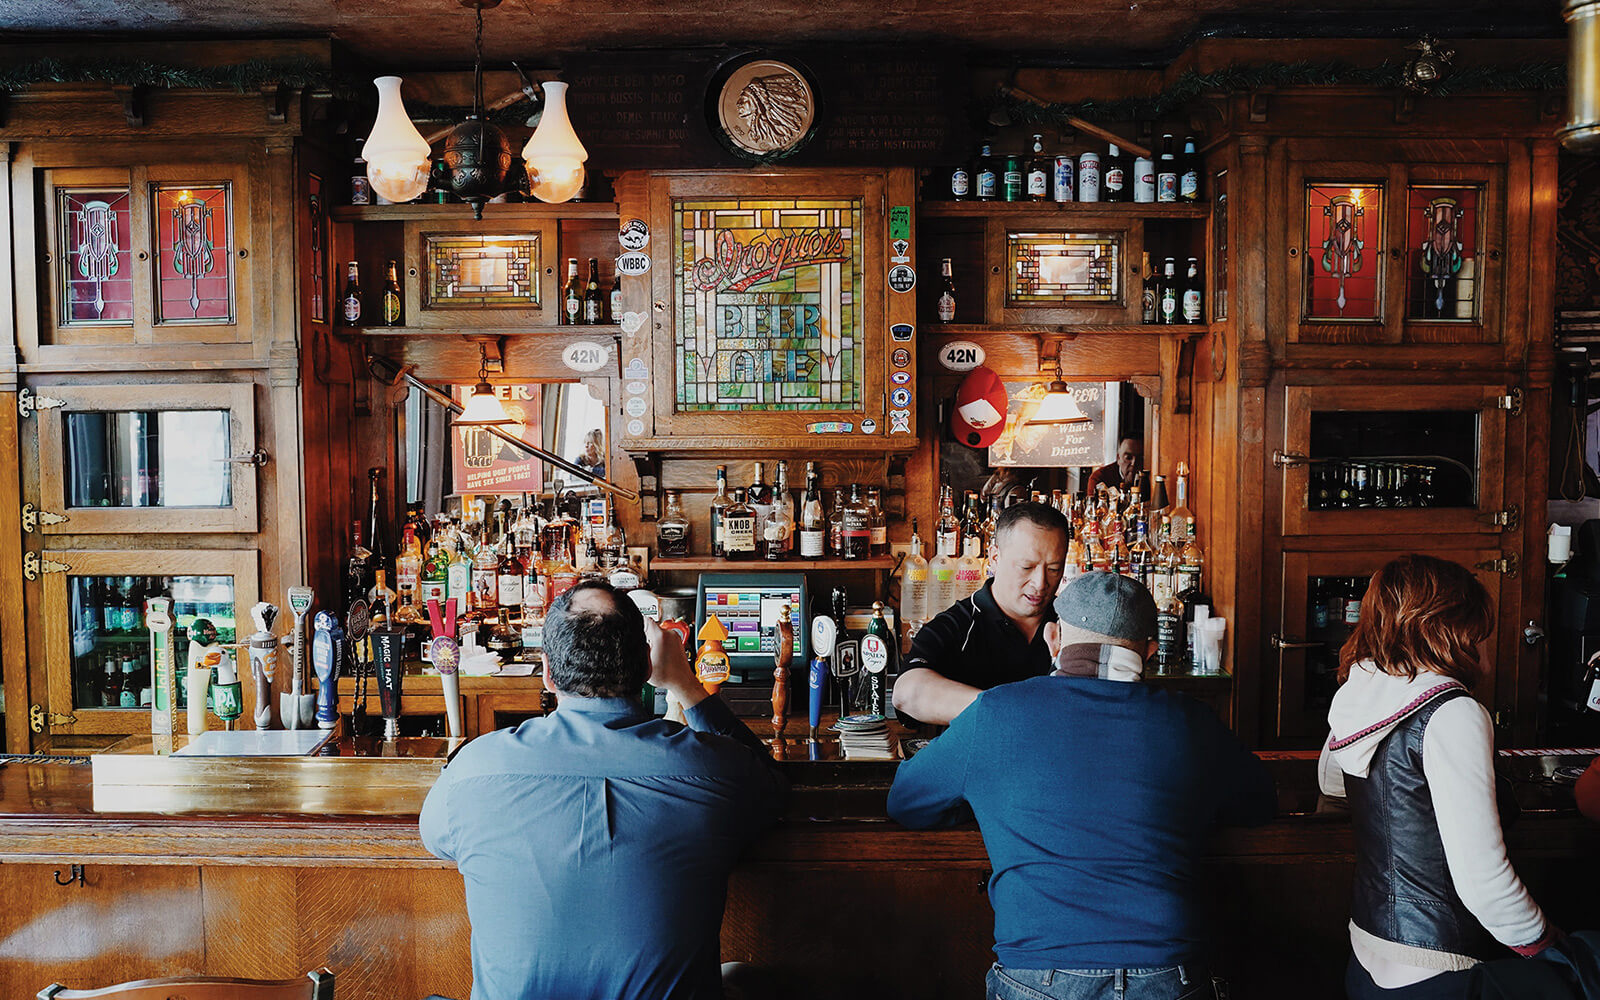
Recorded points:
1090,177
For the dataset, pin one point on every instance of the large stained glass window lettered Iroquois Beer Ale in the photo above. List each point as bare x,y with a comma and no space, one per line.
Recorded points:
769,305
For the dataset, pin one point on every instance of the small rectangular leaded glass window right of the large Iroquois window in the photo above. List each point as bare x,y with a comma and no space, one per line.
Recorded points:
1063,268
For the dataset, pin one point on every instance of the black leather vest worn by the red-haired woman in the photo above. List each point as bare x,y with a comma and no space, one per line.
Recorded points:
1402,881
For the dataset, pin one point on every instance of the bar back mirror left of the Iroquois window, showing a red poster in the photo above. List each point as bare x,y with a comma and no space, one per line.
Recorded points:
564,418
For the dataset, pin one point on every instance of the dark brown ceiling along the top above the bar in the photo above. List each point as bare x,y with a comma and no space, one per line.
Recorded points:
439,33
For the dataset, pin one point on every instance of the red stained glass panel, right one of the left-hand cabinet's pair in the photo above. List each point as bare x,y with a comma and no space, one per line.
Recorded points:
194,254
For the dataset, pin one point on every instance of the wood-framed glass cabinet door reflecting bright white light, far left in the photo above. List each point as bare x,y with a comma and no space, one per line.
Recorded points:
150,458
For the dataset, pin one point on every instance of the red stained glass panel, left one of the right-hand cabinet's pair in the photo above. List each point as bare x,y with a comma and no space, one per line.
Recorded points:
1343,252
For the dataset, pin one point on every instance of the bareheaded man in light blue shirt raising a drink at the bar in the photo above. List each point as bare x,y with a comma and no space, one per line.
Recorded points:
596,842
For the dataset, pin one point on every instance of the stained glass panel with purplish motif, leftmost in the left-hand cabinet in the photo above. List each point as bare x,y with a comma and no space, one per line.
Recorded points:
97,274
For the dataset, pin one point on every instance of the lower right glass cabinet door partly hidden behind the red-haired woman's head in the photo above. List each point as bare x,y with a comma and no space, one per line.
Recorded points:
1322,604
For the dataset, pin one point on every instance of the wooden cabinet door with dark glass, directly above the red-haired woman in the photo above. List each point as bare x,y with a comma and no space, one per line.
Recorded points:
1423,460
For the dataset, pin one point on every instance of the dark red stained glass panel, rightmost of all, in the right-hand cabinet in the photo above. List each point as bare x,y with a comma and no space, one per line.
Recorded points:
1442,254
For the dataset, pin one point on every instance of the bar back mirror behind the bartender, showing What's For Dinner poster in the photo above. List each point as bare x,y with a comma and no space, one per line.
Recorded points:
1049,444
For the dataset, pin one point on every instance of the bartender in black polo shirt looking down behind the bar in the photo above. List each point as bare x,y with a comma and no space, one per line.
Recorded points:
996,636
